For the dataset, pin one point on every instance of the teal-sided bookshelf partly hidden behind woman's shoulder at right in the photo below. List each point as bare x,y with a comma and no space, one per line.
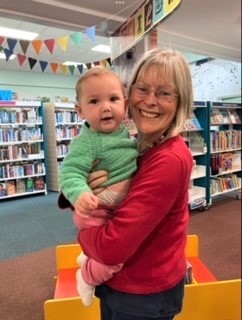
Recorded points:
196,135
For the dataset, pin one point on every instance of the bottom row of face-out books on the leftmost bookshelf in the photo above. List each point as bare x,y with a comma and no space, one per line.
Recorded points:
21,186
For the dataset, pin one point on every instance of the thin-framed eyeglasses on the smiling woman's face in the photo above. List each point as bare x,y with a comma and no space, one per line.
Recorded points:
161,94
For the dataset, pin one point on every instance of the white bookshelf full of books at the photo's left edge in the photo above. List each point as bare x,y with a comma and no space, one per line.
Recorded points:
22,164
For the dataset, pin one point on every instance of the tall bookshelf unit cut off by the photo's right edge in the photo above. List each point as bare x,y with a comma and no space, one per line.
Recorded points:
225,149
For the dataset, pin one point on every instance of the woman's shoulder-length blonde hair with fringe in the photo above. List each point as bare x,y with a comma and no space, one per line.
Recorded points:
172,66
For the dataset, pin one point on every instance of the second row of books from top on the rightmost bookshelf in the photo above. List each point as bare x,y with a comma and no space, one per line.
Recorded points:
225,140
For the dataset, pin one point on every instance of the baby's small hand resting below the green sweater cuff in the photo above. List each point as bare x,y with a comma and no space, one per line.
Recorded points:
86,203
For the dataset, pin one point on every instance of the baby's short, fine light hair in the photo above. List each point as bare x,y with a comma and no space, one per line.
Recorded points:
96,72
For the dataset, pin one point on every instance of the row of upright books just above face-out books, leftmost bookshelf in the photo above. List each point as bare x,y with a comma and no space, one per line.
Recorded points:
22,169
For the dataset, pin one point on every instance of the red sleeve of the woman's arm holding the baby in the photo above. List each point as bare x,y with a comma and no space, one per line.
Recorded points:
160,184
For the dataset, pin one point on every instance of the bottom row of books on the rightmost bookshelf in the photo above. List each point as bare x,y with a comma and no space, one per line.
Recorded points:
222,184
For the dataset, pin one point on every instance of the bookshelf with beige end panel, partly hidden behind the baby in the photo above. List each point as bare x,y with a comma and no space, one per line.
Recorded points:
61,124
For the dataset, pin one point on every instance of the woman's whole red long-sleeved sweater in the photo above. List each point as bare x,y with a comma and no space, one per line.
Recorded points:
148,232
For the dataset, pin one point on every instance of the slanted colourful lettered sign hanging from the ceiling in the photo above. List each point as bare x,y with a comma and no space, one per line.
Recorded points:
147,16
